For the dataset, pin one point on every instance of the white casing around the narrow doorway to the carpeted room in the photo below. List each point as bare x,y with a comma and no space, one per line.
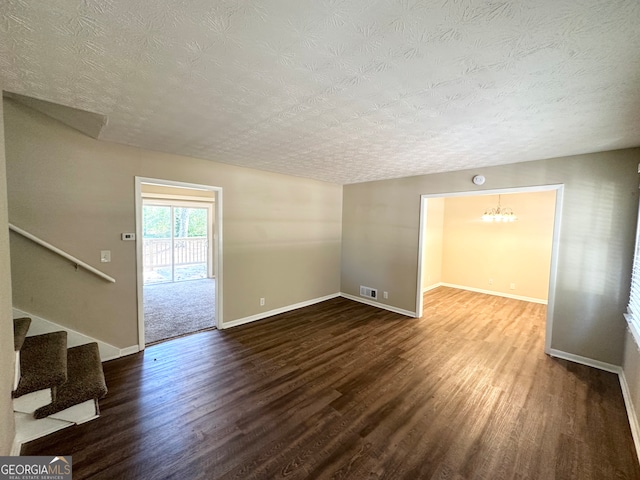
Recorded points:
217,247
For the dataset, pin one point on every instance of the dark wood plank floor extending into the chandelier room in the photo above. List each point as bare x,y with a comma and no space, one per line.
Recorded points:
344,390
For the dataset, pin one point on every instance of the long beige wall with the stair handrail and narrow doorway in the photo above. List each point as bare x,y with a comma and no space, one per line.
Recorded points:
281,234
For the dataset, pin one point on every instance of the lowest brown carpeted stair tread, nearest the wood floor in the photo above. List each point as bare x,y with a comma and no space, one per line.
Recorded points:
85,380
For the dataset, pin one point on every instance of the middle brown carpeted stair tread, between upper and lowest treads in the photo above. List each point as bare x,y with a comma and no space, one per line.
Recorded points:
43,362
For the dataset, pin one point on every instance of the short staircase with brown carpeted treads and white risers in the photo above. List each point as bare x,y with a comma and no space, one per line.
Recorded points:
55,386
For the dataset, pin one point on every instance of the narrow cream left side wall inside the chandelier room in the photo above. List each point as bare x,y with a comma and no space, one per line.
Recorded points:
432,248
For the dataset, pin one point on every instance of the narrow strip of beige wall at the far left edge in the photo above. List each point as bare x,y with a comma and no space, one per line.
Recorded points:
7,428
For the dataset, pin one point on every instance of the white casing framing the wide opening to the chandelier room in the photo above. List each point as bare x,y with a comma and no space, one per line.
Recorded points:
554,248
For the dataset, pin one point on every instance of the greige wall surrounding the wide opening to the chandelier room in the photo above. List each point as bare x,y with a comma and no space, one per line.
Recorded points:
380,240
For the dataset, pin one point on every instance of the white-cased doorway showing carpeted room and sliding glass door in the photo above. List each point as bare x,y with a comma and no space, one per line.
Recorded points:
179,256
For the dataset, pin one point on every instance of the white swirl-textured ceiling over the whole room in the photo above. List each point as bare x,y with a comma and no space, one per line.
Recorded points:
338,90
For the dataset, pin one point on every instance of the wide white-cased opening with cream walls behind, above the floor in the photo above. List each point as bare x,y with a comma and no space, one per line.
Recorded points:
496,259
